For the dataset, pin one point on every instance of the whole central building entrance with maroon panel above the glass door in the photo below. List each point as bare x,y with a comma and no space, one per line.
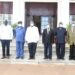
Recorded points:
41,14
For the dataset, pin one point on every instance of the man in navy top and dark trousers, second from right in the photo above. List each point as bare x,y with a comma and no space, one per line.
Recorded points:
60,35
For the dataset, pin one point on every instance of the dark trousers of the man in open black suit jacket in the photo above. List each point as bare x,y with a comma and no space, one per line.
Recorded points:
48,50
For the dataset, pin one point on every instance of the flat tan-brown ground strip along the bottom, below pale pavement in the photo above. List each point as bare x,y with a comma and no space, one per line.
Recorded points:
37,69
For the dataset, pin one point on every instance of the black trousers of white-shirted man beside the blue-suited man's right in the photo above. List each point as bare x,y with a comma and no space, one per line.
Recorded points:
32,49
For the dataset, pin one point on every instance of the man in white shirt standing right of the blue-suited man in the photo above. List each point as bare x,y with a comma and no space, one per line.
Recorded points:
32,38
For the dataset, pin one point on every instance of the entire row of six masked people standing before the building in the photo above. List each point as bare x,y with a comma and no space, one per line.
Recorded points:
30,35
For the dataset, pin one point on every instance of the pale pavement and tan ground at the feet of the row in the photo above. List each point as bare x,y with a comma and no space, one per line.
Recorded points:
39,66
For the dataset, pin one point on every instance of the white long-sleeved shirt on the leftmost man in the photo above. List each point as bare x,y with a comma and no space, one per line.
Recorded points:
6,32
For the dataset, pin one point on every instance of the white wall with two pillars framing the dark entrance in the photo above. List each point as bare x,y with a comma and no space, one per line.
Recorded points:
62,10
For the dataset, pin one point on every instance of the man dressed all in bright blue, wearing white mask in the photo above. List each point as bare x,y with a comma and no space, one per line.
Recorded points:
20,39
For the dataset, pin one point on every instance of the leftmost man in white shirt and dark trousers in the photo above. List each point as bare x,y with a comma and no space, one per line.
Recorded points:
6,35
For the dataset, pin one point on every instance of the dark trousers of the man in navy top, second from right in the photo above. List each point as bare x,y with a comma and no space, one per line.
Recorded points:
60,50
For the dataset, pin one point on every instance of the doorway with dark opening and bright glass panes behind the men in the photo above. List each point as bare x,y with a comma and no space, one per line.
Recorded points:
42,21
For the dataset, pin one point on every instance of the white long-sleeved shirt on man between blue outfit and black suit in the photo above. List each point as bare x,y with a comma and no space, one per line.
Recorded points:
32,34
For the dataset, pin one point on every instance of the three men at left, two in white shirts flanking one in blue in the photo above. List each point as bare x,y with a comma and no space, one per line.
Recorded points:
30,35
